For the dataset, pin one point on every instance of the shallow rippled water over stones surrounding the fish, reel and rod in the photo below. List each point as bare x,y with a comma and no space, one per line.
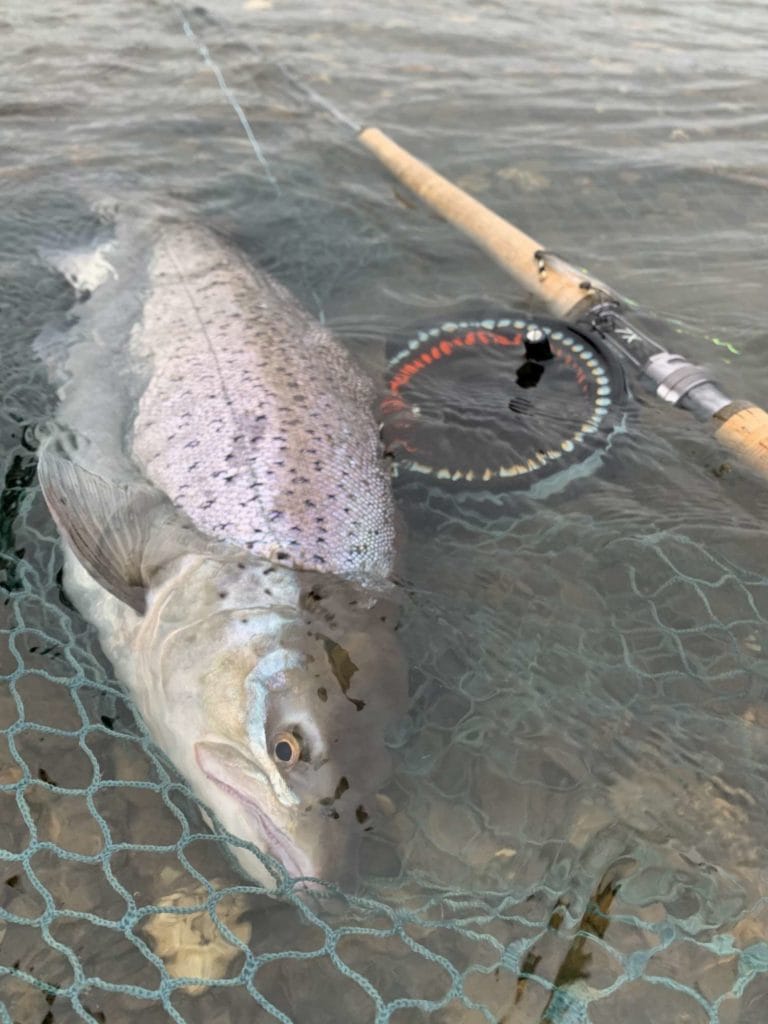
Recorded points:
589,722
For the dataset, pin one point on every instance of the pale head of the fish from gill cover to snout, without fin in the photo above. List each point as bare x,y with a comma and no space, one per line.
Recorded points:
278,713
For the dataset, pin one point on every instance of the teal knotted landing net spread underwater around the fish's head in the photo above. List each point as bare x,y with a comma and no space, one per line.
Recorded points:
584,856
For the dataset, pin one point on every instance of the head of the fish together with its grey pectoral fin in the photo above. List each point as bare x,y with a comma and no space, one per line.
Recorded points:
272,690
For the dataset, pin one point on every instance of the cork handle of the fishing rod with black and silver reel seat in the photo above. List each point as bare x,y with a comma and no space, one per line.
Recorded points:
591,308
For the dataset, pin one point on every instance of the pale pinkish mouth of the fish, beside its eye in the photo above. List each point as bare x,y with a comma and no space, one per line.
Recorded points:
216,761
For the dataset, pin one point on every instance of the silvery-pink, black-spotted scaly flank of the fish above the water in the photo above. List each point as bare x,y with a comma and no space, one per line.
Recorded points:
254,421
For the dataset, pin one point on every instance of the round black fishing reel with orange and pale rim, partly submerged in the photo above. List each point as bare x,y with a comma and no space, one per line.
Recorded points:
498,404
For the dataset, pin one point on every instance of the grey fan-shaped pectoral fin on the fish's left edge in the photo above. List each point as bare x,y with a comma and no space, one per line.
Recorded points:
108,526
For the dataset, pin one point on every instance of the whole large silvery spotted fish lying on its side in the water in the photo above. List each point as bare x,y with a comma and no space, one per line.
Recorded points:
218,480
